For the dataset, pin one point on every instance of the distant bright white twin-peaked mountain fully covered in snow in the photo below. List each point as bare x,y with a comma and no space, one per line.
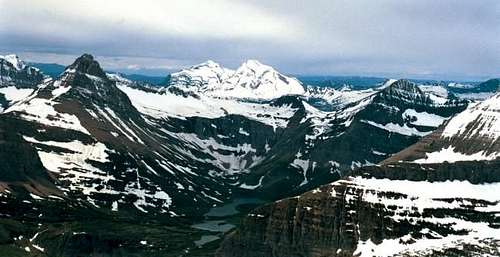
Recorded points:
252,80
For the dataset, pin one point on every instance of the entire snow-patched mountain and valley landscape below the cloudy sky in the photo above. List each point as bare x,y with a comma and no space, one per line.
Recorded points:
244,162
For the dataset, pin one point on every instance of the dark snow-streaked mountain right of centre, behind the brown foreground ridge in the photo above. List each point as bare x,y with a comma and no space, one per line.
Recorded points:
362,131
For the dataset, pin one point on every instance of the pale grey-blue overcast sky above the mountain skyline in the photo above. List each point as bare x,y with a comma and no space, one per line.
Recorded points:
453,39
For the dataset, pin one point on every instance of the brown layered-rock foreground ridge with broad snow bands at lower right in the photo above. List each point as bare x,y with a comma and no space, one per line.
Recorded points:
439,197
